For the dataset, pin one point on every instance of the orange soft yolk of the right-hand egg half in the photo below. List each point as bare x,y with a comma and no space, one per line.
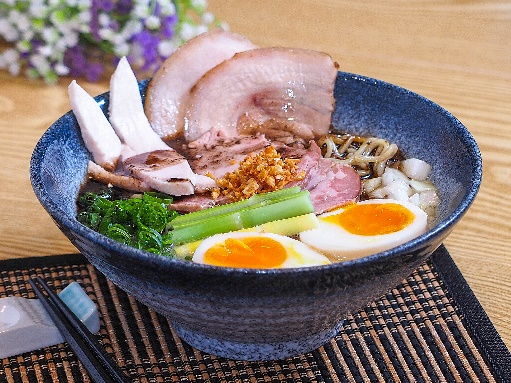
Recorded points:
372,219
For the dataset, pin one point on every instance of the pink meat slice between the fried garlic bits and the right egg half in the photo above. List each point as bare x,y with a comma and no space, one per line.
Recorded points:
331,184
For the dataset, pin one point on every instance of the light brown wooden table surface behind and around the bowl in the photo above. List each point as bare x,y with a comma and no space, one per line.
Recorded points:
457,54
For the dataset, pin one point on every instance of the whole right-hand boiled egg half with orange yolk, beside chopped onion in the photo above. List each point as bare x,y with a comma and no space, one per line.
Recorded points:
365,228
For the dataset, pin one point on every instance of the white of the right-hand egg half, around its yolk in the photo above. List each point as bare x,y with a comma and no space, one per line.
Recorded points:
338,244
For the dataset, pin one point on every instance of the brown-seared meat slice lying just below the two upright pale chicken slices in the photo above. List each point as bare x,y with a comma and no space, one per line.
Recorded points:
168,172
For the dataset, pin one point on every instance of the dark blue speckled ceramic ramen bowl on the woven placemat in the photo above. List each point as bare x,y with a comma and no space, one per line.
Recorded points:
253,314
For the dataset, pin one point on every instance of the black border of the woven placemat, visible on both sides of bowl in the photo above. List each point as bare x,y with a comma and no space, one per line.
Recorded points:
476,320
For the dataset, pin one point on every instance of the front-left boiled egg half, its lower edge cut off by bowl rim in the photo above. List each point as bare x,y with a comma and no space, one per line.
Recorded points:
256,250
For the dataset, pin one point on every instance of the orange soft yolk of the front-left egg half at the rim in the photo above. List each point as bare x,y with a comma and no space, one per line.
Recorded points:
247,252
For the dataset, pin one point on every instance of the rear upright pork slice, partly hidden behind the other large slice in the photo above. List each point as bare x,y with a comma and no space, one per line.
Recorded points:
169,89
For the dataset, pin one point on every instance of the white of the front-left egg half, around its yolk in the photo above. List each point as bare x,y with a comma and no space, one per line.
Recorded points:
298,253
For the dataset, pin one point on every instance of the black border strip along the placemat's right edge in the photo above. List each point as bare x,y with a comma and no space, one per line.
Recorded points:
476,320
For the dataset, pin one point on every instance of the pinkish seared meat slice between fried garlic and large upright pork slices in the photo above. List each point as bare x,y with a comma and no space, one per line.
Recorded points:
217,155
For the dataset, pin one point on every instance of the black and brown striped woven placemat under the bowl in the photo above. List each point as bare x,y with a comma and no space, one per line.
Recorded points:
431,328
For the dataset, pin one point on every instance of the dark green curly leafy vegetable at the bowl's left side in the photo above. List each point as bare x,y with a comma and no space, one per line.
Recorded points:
142,222
